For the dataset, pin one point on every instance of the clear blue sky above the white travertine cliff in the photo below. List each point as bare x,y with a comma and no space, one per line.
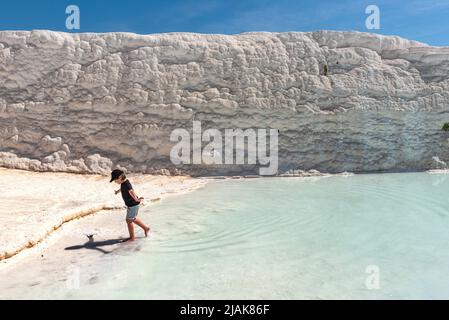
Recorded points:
422,20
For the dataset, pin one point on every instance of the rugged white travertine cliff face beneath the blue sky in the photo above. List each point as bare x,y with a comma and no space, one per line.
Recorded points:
343,101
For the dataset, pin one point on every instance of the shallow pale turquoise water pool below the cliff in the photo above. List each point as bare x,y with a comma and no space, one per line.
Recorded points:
354,237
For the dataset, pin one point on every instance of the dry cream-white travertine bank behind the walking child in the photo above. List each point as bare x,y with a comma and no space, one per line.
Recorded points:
33,204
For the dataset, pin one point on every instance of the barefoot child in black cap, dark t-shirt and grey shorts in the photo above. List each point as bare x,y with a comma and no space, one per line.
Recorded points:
131,201
